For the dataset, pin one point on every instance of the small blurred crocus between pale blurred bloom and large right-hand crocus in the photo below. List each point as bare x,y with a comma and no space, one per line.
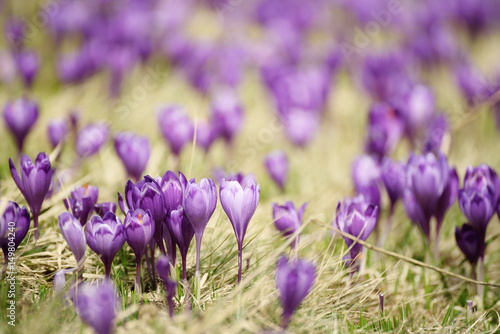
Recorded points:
394,178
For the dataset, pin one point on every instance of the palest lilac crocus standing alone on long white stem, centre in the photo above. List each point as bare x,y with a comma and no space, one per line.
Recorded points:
240,205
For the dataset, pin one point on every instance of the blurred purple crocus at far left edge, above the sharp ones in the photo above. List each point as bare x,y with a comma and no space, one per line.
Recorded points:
20,116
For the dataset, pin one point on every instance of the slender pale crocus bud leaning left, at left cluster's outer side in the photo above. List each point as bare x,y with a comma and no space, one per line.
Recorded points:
72,232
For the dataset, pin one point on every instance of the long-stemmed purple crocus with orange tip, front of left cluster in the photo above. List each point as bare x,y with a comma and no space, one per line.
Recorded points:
139,230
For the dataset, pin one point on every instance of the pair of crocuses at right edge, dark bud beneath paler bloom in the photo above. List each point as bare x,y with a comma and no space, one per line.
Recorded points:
478,200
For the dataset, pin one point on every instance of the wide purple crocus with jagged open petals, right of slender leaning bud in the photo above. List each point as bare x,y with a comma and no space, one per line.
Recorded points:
105,236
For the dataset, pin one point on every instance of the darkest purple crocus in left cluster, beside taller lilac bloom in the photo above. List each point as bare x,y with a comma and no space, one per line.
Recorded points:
182,232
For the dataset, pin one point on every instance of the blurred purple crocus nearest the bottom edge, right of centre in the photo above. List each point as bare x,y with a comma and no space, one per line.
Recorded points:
294,280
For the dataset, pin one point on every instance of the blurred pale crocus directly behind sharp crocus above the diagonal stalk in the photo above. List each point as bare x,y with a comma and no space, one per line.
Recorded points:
366,175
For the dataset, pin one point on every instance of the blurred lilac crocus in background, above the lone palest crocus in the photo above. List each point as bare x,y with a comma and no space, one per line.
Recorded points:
227,114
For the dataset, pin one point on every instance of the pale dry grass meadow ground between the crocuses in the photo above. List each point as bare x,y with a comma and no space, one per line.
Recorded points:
416,299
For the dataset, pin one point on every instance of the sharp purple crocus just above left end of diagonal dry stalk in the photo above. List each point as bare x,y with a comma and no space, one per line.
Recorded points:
357,217
